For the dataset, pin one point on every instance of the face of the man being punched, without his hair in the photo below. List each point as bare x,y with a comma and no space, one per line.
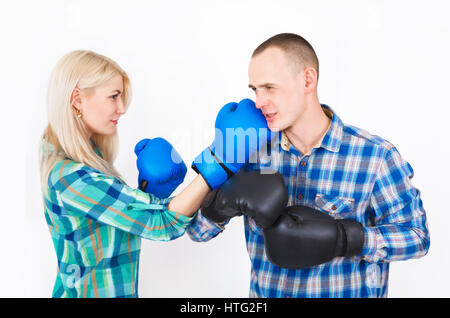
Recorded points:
278,87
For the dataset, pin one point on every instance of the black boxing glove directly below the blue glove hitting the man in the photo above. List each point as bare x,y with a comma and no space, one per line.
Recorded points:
260,194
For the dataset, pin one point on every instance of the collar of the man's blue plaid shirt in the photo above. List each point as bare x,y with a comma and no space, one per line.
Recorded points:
331,140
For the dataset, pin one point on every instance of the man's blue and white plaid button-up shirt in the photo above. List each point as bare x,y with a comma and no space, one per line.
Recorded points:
350,175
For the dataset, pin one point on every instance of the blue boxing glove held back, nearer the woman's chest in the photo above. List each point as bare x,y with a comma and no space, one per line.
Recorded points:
161,168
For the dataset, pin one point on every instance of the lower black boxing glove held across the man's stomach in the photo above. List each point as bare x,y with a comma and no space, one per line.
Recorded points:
304,237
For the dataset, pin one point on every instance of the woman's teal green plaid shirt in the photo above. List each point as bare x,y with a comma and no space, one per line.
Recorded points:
96,224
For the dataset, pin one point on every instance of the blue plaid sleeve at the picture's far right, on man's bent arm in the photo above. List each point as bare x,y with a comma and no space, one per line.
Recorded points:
400,231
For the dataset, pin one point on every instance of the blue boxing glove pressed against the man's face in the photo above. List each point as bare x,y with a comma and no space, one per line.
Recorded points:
241,129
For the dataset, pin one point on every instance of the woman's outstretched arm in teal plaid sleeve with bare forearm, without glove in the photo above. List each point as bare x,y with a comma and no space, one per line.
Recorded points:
78,191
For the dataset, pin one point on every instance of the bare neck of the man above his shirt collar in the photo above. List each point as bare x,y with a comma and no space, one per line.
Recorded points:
309,128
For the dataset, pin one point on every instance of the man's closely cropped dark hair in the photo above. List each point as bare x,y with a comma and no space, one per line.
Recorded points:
296,48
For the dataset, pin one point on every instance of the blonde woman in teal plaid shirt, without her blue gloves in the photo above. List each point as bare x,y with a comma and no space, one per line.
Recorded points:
96,221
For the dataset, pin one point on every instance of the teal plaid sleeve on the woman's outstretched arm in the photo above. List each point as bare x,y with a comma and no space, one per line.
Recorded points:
105,199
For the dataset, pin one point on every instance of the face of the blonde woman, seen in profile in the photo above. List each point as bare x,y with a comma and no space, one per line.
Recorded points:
101,108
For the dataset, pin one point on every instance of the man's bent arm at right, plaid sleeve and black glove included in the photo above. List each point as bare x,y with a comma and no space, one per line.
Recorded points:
400,231
